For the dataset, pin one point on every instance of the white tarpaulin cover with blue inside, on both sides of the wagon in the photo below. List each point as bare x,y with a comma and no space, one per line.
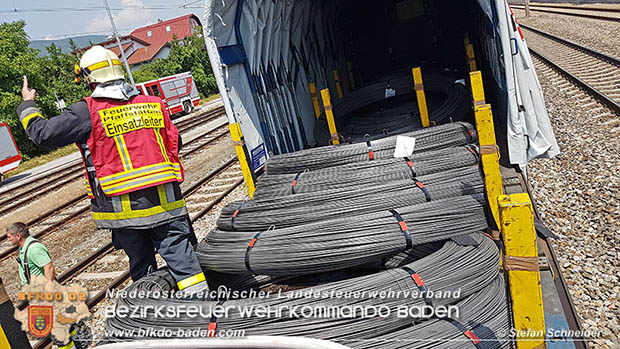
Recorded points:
265,53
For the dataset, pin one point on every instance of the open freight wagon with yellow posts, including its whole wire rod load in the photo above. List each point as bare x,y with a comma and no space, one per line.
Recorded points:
317,93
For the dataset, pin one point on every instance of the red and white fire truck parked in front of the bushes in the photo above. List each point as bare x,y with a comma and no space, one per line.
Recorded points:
178,91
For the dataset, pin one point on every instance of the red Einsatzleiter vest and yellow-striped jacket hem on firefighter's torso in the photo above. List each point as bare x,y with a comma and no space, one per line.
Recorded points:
132,164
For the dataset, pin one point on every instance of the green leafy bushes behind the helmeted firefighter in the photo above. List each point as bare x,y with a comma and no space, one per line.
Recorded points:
54,73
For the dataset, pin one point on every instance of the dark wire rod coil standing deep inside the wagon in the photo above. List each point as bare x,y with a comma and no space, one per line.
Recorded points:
453,104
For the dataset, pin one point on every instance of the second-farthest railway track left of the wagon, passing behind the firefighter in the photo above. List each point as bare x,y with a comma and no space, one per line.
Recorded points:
78,206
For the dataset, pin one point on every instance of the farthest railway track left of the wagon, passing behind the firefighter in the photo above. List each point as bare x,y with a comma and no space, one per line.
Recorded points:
30,190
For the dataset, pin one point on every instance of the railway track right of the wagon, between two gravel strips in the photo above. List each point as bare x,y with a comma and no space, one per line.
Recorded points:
592,71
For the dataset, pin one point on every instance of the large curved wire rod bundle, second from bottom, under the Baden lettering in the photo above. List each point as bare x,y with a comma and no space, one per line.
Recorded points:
453,273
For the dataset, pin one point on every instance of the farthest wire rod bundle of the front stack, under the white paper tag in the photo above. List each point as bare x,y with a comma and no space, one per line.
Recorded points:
430,138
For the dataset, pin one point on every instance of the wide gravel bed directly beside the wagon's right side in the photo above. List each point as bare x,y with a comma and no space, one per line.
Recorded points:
579,199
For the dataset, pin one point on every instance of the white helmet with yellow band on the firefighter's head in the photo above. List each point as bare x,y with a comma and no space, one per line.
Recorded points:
99,65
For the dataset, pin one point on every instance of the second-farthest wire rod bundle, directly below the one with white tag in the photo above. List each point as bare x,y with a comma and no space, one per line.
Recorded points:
366,173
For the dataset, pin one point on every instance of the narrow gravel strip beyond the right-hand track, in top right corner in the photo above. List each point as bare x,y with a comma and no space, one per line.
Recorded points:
596,34
